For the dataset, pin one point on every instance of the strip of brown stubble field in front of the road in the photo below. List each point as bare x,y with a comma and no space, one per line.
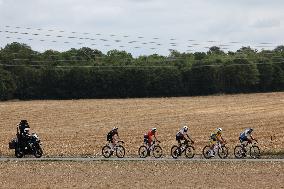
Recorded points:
142,175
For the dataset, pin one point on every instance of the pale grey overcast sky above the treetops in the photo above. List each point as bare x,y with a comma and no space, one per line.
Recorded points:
142,27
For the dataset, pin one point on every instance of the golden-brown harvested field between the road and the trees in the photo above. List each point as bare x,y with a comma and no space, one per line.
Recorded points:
79,127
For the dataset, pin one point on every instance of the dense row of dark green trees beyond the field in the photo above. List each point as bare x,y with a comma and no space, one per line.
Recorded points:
89,73
